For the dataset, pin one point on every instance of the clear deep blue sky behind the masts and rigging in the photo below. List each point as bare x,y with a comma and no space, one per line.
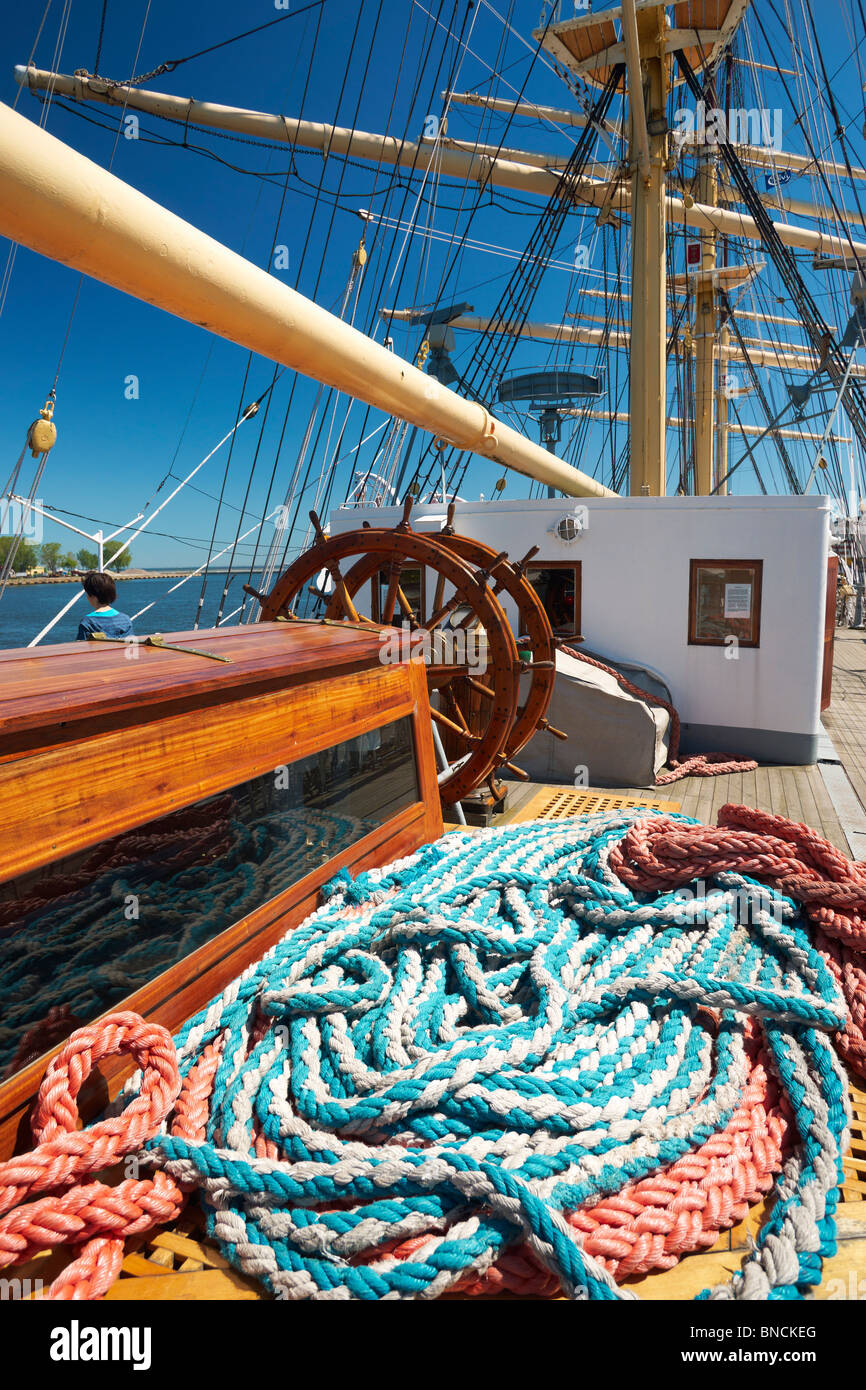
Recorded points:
115,452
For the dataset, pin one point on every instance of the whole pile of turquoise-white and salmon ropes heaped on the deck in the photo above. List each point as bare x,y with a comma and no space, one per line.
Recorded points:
503,1063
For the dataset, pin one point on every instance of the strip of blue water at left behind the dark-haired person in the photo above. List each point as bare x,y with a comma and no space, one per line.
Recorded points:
27,608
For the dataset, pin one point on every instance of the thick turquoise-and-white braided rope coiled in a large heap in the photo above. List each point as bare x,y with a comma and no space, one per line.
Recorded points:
490,1035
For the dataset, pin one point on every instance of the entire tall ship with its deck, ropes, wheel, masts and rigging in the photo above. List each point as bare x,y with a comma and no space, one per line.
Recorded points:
466,899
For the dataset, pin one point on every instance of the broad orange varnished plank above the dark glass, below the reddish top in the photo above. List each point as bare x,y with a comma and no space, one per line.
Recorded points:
152,768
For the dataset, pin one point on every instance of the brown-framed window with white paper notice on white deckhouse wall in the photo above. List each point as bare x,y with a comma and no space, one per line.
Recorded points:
724,603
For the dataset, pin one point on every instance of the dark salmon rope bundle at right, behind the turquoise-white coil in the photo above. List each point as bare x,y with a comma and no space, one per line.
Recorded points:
660,854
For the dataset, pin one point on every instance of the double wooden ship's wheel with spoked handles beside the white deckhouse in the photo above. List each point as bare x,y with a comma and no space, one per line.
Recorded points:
490,683
